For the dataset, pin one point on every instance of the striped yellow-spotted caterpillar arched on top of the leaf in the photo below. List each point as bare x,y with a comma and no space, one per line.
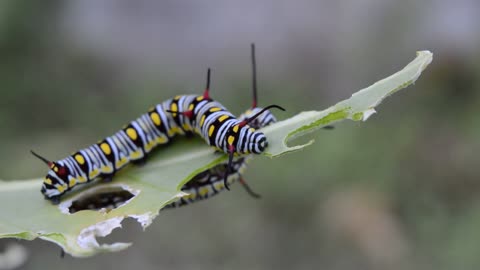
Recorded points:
181,115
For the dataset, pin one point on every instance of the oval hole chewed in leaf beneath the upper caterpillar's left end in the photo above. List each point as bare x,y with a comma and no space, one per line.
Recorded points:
107,198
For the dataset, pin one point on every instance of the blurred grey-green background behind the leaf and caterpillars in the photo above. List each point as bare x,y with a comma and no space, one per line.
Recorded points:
397,192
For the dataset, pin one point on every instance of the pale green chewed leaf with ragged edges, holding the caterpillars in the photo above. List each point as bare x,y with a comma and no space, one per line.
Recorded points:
27,215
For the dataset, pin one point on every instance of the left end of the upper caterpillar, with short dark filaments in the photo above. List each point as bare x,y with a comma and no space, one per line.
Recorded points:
55,182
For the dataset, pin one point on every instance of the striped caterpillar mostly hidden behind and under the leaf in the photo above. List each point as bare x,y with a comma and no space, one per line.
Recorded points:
211,182
